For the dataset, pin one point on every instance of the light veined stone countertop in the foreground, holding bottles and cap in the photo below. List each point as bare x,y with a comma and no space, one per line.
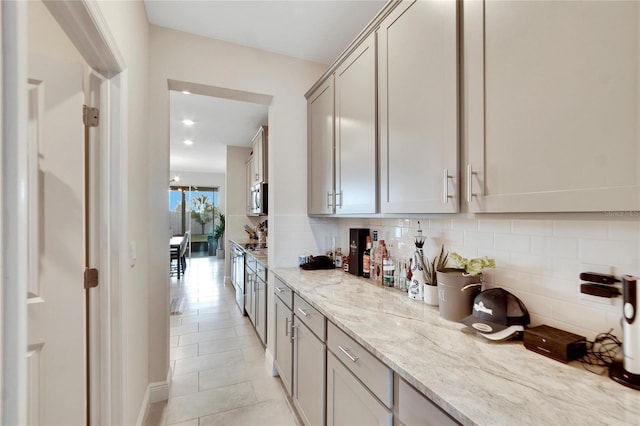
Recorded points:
476,381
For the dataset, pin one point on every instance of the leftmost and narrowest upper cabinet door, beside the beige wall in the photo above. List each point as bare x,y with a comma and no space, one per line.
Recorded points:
320,161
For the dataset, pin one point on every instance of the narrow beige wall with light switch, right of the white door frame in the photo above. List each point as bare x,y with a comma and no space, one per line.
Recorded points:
129,27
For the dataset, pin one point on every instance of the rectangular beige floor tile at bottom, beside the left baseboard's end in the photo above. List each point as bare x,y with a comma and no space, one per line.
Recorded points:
209,402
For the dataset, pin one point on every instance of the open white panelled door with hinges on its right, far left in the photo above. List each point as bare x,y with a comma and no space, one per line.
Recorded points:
56,305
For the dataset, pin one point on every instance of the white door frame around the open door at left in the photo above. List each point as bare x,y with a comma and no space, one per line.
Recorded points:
86,27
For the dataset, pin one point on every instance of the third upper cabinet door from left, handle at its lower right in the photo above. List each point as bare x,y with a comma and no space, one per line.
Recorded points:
418,108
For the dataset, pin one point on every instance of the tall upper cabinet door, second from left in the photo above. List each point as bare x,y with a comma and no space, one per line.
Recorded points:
355,121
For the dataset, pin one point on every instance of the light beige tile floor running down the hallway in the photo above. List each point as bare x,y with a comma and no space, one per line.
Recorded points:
217,362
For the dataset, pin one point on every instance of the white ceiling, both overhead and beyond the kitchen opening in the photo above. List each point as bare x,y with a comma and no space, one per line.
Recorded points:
313,30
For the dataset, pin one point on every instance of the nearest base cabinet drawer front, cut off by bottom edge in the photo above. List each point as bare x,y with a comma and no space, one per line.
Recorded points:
413,408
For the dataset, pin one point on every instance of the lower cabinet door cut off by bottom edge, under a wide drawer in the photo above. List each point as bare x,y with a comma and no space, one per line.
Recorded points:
348,401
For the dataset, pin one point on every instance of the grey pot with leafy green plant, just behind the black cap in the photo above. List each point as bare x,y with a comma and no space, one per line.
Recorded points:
459,286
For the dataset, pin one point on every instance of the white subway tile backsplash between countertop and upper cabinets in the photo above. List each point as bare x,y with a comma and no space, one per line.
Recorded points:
539,260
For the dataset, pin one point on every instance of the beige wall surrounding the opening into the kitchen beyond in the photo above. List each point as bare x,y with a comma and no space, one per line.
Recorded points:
188,58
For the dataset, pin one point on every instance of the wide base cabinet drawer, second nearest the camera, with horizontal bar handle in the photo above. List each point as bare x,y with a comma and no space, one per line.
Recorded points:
369,369
